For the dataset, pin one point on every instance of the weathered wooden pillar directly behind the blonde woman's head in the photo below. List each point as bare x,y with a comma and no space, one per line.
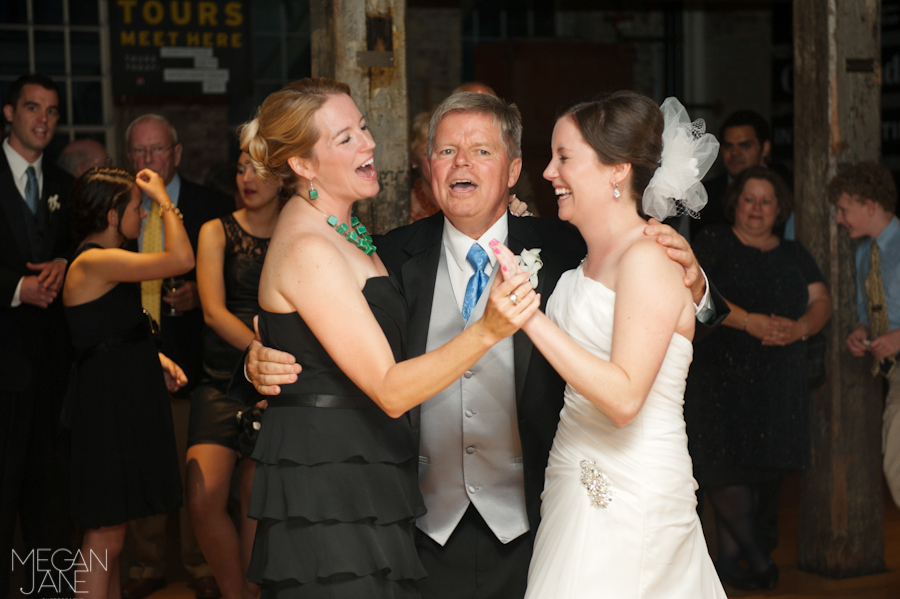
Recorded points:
363,44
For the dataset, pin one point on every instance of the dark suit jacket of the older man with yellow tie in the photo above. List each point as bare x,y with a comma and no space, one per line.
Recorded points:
180,336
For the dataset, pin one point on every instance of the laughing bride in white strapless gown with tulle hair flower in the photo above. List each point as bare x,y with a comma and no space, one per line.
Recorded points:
618,510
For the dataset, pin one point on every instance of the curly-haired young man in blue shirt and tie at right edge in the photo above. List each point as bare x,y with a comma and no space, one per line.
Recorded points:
865,196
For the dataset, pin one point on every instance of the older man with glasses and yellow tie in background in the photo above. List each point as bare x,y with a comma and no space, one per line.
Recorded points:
152,142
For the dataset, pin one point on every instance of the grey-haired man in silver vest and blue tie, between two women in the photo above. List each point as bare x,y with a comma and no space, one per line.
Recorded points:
484,441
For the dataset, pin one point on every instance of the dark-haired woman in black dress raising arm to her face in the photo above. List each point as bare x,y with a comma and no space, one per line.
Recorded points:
124,462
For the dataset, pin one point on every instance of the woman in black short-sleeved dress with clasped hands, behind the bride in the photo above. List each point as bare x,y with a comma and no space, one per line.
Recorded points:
746,403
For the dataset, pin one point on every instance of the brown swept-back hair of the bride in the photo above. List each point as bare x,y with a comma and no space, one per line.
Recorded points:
621,127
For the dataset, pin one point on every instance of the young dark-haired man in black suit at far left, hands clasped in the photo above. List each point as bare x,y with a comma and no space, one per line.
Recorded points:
35,240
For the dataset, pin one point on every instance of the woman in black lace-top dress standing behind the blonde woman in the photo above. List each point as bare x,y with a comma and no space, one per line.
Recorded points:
230,255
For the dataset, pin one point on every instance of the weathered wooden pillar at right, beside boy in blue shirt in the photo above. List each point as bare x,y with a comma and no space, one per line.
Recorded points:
837,73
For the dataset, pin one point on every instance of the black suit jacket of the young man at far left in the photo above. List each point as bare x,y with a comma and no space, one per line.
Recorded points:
31,334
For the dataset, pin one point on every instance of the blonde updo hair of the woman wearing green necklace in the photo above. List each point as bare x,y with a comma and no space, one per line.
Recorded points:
285,126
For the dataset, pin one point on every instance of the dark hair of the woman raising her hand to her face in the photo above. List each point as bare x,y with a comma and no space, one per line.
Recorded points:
96,192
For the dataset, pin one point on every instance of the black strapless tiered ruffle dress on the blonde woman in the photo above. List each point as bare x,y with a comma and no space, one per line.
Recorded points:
335,488
